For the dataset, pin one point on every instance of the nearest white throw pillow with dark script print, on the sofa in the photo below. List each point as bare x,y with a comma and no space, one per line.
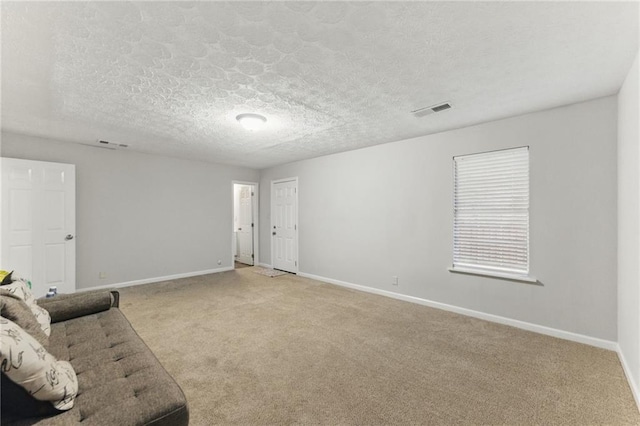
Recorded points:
27,363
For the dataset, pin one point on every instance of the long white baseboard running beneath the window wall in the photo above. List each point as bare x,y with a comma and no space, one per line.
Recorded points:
567,335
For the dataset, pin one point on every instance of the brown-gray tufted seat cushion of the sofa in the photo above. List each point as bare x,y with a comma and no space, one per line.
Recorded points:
120,380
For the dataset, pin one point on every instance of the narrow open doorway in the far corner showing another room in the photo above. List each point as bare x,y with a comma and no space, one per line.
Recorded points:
245,226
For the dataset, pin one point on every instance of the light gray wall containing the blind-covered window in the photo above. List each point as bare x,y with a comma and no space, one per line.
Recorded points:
369,214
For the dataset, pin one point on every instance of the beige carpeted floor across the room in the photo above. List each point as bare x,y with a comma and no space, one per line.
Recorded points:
248,349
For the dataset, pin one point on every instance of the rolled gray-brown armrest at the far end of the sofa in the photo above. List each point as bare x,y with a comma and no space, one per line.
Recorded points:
67,306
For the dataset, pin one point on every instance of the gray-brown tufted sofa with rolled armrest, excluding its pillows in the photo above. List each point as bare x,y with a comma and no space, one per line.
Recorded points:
120,381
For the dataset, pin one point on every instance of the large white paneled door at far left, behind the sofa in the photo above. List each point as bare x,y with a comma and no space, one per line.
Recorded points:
38,223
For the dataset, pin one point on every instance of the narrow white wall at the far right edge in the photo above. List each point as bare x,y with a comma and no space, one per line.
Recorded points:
629,227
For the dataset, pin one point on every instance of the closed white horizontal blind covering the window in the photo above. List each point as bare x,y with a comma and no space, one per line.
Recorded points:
491,212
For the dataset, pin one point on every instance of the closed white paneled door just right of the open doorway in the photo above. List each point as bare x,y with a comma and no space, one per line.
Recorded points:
284,225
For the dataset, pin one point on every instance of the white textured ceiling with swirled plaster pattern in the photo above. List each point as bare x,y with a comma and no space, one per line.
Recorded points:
170,77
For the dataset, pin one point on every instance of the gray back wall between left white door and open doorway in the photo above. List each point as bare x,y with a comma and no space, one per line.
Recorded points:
142,216
